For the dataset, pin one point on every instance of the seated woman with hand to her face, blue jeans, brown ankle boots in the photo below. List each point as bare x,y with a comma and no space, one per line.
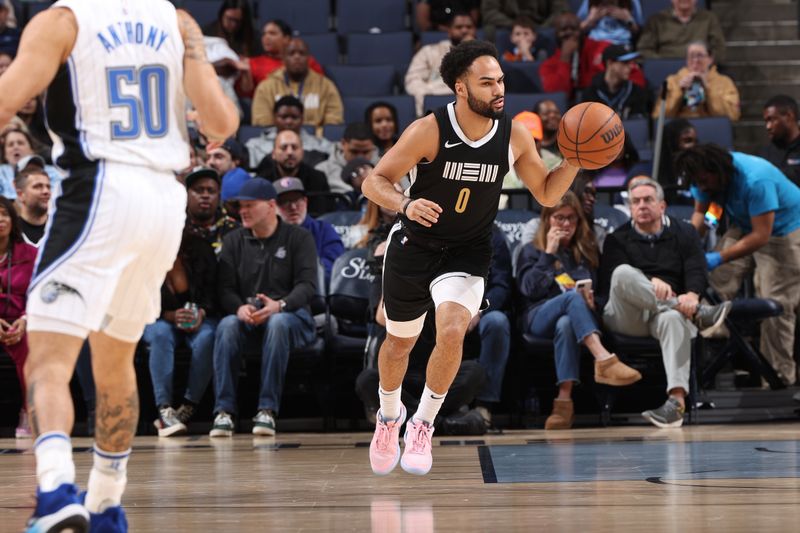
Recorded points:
563,253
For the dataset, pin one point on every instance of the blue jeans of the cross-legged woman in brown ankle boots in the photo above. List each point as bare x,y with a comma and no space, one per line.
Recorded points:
568,320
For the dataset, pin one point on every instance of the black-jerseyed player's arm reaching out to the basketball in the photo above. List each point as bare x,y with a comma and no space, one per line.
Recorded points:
546,187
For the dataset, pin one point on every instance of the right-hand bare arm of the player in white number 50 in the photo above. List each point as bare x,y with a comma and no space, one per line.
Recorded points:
217,115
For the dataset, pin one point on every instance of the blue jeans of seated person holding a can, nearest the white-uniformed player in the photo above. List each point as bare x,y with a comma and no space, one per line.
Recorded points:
162,336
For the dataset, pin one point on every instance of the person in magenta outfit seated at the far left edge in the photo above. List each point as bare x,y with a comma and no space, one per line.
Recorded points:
16,261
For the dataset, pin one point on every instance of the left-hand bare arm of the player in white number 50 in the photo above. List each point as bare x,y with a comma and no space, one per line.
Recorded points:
45,45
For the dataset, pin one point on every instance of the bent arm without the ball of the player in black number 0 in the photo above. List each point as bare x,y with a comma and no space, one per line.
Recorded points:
420,141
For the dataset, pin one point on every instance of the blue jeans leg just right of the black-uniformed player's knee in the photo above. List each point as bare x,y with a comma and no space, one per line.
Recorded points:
495,332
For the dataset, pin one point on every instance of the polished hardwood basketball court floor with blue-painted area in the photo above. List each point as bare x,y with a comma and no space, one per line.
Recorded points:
704,478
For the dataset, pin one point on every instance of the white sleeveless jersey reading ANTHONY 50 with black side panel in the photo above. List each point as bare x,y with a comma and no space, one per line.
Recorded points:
119,97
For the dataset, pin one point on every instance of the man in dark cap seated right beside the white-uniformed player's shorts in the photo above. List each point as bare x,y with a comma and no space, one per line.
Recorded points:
205,217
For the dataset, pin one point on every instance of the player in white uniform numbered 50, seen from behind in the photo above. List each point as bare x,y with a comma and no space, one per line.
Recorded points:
117,74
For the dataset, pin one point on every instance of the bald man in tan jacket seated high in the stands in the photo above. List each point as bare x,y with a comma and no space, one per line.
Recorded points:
321,101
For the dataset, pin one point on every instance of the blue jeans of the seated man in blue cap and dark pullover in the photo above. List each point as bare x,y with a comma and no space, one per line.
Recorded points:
281,334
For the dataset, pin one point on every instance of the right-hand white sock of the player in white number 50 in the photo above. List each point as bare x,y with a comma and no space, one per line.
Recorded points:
107,480
